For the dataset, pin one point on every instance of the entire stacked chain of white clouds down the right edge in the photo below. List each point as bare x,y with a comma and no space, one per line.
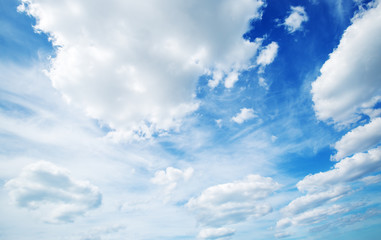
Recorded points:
349,85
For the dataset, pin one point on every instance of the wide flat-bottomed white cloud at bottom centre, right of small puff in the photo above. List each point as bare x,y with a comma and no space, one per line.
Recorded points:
233,202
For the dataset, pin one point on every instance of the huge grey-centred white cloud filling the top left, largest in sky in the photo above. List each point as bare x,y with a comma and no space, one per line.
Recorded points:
134,65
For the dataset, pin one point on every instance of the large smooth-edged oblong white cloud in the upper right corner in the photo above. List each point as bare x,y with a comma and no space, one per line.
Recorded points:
351,77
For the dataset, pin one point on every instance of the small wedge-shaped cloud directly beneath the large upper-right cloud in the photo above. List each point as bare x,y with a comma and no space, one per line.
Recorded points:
359,139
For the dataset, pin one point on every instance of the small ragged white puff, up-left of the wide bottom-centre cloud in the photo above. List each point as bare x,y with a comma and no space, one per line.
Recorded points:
171,176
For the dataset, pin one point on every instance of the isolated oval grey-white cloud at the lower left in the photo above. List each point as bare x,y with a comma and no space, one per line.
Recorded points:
52,191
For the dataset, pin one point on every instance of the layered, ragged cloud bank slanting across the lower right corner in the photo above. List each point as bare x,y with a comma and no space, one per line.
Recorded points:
327,187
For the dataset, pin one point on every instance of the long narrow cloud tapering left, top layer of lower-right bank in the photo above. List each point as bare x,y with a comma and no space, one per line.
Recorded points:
347,170
